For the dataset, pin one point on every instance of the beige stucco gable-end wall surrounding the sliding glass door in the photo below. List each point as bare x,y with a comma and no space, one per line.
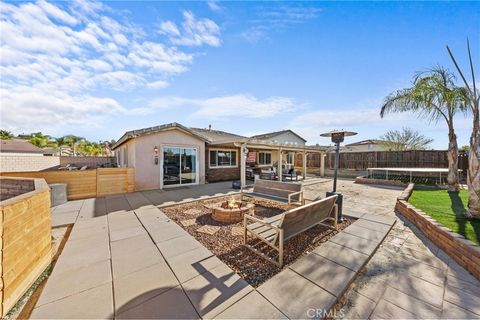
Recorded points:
147,173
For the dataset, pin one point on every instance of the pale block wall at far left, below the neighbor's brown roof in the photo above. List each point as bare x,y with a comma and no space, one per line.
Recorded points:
17,163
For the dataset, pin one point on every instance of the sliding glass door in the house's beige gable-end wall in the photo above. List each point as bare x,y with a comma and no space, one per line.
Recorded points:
179,166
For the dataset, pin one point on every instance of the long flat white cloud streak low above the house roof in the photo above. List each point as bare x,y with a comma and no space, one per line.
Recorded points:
240,105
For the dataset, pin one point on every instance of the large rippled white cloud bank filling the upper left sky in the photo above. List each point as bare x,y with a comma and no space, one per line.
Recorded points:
56,59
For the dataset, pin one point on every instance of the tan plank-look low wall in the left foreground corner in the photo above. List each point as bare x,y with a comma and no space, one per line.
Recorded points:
25,230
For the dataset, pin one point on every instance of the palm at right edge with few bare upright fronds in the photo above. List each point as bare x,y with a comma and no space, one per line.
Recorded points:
473,179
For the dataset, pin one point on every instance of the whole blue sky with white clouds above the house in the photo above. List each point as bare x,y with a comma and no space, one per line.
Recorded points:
98,69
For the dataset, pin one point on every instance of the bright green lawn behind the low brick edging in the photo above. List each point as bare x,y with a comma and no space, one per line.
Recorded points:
448,209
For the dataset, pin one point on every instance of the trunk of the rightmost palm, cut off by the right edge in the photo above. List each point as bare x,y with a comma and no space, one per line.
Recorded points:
473,180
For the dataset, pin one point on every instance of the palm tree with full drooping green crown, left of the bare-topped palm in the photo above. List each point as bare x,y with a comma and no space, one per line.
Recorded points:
433,96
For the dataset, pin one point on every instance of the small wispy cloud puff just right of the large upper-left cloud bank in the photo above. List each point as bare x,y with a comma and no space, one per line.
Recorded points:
195,32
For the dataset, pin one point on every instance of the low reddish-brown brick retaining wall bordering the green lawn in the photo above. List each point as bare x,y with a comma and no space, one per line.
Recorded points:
463,251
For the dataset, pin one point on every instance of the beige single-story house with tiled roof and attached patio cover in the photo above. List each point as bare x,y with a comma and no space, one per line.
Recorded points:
172,155
